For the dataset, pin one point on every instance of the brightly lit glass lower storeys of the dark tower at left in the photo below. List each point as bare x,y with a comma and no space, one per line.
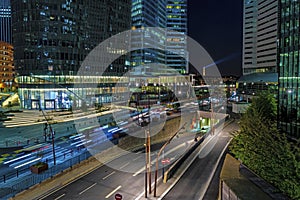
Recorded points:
52,92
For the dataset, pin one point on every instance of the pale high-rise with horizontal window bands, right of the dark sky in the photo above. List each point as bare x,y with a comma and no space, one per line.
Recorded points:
260,36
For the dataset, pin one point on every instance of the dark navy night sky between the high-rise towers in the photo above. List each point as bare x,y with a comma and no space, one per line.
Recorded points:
217,26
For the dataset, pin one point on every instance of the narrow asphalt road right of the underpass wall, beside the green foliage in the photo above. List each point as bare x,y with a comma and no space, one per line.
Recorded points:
196,180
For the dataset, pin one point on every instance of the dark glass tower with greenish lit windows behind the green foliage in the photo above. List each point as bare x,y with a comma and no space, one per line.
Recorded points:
289,68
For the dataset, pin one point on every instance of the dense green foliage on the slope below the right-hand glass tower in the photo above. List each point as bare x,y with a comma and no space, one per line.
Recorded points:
265,150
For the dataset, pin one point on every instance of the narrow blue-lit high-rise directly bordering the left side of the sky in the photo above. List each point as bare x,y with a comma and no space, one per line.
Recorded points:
176,45
